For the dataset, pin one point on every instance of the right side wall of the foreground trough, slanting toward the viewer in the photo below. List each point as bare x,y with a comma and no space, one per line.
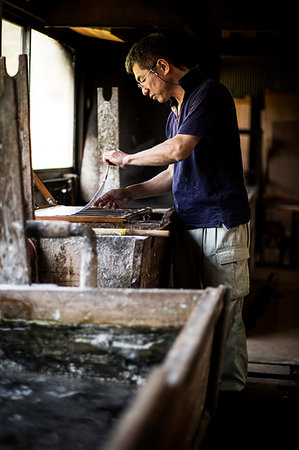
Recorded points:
170,412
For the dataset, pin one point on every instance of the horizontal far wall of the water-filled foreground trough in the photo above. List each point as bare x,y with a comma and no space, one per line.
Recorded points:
67,305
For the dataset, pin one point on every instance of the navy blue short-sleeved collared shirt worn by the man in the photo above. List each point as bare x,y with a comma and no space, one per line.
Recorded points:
208,186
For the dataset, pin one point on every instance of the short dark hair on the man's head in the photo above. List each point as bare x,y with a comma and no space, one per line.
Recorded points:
157,45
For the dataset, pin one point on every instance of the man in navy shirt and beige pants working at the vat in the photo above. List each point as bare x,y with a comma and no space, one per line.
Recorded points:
202,152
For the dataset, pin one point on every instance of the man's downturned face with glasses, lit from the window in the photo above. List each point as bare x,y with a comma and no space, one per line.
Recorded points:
151,84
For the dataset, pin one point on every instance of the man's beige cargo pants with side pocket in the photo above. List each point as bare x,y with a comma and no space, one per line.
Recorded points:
209,257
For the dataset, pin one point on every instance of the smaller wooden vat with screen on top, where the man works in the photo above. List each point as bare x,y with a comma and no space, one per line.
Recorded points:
132,248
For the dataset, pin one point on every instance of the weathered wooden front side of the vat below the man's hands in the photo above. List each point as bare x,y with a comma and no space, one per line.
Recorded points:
123,261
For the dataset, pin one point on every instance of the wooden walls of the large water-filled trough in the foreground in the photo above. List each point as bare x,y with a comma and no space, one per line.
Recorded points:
178,399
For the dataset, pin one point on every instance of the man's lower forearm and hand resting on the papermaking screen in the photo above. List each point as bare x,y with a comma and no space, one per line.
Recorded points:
159,185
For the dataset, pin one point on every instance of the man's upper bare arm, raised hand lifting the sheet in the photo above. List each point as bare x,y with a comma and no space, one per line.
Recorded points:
170,151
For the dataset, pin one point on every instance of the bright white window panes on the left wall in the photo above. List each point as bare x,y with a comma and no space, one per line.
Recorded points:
51,95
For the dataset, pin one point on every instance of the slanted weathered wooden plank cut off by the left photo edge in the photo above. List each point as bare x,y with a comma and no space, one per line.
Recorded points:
14,264
